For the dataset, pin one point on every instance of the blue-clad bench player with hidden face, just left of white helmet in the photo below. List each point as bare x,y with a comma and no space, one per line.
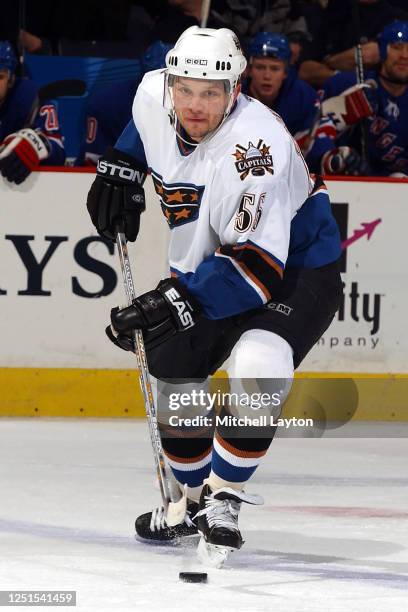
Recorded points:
110,109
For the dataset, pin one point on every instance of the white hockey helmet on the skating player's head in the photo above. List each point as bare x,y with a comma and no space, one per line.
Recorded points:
206,53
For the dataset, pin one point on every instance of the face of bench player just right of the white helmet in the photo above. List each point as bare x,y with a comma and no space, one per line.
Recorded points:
267,75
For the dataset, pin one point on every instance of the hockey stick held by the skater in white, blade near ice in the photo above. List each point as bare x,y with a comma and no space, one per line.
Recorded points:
175,511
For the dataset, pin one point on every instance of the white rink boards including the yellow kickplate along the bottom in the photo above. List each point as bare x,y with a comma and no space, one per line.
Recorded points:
58,281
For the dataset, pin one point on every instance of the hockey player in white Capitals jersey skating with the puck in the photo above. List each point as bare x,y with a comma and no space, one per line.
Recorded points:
253,257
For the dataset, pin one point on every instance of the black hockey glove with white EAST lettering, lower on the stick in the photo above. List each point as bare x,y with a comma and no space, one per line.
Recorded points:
160,314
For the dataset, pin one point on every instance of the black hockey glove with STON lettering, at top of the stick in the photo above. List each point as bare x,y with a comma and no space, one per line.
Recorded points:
116,197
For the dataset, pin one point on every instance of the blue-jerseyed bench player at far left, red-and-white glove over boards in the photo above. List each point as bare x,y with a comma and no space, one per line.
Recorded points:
29,133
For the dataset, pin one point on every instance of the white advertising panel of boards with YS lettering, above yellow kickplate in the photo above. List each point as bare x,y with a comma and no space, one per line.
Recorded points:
59,279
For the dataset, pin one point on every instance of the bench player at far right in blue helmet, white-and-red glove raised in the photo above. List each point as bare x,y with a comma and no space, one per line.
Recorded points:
383,105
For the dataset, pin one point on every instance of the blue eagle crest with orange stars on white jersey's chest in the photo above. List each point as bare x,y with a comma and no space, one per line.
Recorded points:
180,202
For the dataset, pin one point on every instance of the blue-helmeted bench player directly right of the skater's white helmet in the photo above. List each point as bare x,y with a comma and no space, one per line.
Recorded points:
272,81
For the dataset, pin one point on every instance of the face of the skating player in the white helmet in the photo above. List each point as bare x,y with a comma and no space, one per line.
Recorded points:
199,105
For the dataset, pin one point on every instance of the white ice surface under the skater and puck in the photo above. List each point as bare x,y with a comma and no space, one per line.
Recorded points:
332,535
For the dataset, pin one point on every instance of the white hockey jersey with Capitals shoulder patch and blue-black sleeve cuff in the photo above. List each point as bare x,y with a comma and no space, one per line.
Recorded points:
229,202
